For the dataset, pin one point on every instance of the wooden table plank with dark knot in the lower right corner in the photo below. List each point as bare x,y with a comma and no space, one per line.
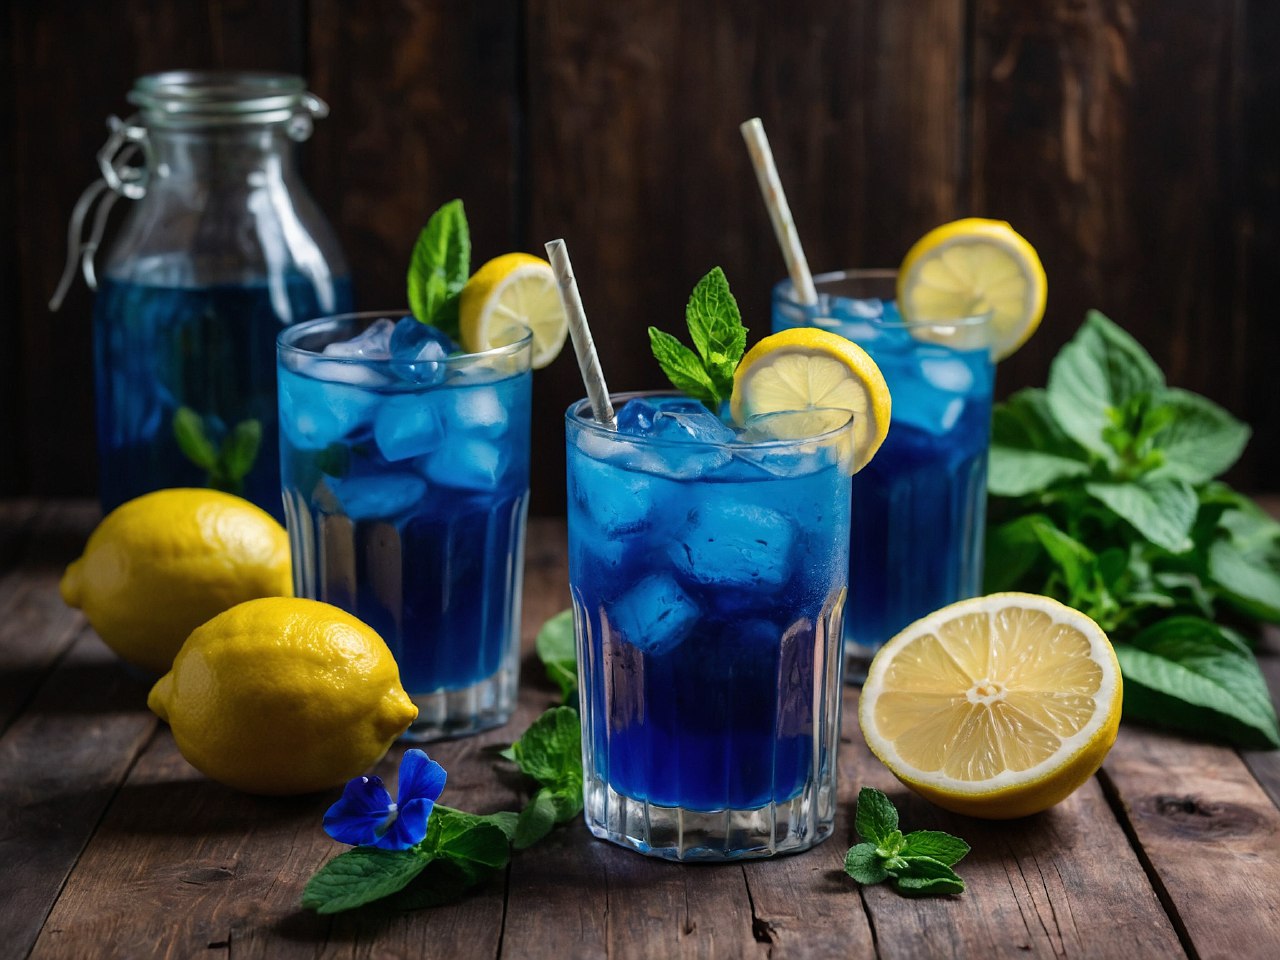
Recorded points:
1210,836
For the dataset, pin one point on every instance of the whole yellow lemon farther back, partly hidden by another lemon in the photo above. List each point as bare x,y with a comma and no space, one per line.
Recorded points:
159,566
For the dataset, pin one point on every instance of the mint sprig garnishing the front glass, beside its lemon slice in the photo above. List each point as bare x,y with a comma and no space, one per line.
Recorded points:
719,336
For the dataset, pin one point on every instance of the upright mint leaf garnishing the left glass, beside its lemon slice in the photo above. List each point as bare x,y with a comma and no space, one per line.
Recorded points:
440,268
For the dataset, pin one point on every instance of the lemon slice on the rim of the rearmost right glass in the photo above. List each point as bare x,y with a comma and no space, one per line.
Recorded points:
972,267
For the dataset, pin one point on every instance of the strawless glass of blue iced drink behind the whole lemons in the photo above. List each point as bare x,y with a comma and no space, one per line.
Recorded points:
405,470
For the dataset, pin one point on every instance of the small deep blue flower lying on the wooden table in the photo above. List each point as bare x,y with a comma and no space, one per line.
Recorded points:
367,816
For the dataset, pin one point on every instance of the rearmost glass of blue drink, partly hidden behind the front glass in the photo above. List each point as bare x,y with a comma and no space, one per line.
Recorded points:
920,506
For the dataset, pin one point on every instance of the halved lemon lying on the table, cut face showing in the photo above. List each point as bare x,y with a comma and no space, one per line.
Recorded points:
995,707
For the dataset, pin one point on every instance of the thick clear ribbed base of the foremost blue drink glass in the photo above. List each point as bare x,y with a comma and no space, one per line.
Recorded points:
676,834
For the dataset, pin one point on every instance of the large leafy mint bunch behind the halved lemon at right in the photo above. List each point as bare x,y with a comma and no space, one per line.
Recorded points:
1105,499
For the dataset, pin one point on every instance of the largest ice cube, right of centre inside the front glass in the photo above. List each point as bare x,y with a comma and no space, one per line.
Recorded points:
735,546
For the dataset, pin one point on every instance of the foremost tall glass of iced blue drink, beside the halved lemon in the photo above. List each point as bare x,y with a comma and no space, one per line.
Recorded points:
708,569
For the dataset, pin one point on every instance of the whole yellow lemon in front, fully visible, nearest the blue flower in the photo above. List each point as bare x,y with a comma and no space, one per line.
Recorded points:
284,696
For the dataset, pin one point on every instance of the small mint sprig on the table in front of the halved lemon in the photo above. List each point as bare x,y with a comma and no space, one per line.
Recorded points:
920,862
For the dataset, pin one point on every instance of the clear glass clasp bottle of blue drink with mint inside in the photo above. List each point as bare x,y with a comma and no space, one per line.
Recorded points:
223,248
